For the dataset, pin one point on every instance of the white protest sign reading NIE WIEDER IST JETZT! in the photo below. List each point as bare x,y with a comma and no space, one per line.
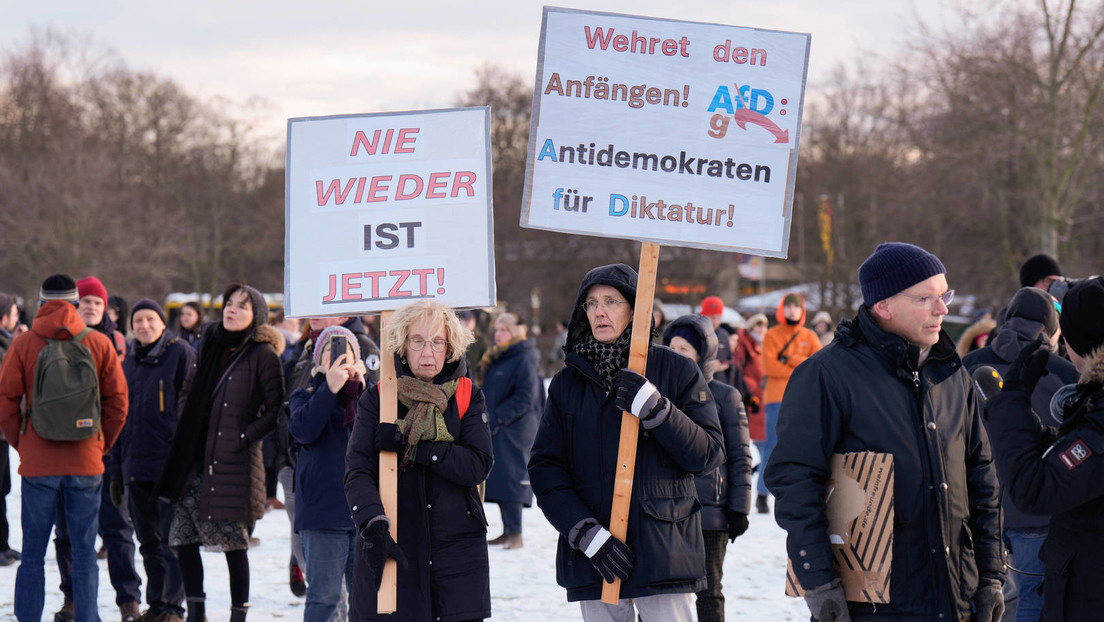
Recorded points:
385,209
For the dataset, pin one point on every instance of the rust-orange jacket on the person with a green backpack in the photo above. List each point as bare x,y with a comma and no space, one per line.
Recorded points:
39,457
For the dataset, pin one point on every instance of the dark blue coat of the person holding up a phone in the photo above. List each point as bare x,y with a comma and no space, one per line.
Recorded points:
317,423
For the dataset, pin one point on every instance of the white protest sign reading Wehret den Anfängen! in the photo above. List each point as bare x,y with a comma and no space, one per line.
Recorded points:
668,132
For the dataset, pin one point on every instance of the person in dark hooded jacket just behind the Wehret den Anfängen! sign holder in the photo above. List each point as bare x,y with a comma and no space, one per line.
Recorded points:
725,493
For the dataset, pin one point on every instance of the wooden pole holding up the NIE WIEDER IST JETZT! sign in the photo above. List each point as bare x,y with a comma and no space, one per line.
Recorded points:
388,596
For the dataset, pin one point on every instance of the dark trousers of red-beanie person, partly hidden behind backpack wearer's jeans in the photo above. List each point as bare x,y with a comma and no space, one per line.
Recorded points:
120,542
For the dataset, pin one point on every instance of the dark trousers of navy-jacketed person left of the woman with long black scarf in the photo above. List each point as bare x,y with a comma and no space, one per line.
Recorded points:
165,587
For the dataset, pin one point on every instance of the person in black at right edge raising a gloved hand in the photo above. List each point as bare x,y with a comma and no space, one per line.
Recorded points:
1061,472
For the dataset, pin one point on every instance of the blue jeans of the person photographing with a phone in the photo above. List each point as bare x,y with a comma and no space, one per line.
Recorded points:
330,557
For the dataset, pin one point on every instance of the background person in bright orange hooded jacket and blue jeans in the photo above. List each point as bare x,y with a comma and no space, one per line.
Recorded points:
785,346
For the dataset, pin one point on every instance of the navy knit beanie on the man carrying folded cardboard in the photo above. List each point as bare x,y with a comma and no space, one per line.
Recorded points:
894,268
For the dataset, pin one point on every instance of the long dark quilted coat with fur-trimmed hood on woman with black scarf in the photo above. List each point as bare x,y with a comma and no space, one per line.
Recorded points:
243,412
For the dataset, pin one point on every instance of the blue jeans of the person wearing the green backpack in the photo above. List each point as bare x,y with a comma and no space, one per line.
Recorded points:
79,498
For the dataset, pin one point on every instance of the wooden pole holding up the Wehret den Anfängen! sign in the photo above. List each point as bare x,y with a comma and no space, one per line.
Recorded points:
638,362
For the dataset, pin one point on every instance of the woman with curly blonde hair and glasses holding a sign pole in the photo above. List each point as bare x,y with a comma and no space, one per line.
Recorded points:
444,449
